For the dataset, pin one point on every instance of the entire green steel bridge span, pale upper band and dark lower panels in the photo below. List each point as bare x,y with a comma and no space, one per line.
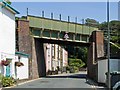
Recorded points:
56,29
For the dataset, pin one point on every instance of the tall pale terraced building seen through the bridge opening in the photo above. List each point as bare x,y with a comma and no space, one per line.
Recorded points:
56,56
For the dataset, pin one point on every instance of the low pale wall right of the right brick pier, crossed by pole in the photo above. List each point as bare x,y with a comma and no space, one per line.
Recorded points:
102,68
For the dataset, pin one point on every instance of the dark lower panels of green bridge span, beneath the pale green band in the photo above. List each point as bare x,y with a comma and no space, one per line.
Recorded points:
58,35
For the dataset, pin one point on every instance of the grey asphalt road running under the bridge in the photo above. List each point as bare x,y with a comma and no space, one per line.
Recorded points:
65,80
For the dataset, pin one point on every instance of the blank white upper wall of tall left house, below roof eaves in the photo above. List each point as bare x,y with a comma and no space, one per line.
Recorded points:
7,31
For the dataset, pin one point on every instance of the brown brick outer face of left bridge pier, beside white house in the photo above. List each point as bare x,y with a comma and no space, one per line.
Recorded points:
24,40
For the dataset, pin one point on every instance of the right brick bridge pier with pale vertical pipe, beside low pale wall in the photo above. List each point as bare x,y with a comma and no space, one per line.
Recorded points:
96,50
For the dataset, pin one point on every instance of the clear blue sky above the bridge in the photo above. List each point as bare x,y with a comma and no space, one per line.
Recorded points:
81,10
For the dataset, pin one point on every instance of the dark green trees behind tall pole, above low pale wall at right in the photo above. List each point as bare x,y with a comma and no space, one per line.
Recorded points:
114,36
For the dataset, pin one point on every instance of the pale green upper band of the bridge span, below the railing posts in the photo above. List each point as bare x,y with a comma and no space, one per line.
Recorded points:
51,24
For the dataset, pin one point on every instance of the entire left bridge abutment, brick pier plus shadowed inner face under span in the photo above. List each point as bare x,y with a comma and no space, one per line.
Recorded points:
29,45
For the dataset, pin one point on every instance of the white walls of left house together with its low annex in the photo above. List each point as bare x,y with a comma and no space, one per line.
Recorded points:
7,44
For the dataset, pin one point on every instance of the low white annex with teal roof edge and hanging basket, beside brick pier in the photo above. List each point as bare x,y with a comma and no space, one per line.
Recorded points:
21,71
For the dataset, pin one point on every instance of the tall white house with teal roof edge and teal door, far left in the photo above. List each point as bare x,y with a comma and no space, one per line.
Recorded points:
7,36
